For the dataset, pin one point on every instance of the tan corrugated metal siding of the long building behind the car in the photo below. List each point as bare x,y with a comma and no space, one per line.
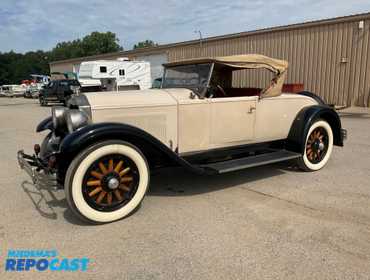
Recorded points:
315,55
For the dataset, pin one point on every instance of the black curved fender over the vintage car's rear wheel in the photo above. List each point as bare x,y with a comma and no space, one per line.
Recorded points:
304,119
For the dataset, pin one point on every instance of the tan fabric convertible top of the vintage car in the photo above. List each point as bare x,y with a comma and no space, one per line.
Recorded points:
247,61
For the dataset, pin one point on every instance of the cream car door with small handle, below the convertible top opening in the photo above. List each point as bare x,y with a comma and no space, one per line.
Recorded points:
232,120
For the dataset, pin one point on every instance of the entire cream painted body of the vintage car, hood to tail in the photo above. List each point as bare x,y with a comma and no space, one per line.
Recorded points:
194,125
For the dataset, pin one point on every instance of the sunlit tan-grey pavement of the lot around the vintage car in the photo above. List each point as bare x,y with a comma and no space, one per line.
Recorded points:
271,222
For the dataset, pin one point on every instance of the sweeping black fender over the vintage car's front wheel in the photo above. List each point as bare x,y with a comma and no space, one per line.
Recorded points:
154,150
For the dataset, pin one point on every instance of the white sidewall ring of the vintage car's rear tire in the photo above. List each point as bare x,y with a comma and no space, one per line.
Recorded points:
323,162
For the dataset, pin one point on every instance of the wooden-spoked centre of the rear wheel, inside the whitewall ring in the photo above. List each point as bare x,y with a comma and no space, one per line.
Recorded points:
317,145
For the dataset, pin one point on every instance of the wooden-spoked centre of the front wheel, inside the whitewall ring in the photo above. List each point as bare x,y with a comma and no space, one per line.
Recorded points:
110,182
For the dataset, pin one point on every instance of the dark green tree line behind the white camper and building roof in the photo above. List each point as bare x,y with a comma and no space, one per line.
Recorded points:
15,67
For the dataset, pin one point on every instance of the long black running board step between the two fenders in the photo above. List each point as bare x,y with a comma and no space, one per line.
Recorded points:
250,161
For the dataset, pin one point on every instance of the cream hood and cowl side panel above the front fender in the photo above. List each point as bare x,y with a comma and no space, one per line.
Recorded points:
153,111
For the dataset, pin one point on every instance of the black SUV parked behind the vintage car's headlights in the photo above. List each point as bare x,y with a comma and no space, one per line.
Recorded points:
58,91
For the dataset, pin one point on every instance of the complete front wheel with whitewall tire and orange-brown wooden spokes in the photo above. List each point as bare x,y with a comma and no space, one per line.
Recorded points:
107,182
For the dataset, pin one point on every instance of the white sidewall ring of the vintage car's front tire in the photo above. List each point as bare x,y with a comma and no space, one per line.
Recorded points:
77,183
